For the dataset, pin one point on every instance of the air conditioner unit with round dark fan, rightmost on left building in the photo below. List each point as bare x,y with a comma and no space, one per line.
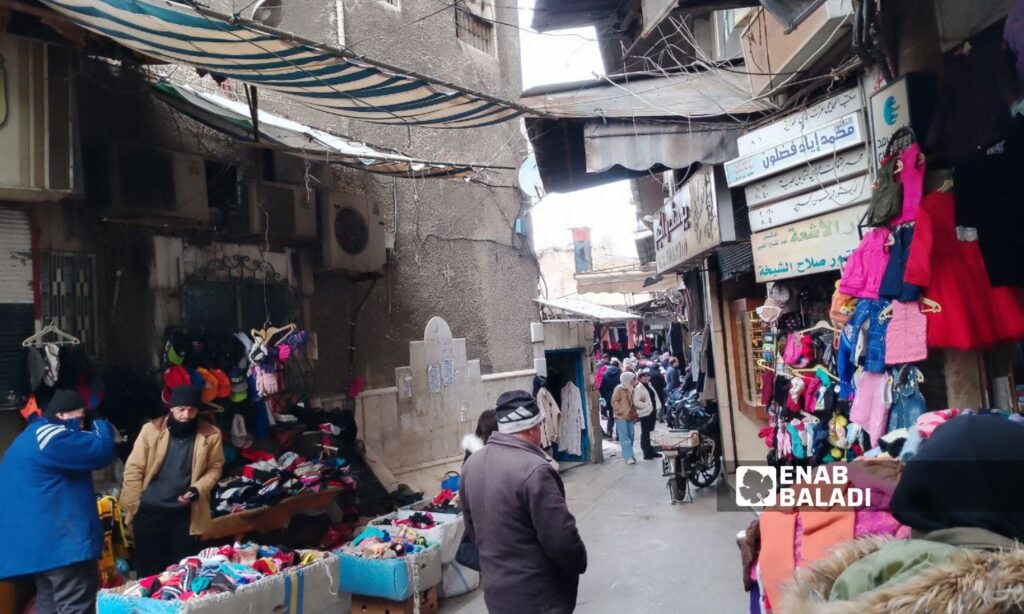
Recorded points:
353,235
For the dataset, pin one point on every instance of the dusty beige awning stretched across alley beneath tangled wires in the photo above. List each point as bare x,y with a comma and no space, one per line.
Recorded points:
696,95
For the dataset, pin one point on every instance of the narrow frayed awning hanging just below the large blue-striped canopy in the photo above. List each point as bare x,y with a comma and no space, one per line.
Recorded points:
234,119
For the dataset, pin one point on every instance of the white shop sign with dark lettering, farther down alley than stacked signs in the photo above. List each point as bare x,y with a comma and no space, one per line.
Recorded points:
697,221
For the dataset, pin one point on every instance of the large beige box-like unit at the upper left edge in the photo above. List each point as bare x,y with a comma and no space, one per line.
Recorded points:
38,125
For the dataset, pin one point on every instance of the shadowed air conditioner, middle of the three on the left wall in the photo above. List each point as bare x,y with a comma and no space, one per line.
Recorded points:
290,209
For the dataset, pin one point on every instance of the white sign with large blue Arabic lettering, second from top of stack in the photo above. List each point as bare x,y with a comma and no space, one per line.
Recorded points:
827,141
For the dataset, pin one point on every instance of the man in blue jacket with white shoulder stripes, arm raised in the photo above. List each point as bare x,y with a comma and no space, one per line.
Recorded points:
50,527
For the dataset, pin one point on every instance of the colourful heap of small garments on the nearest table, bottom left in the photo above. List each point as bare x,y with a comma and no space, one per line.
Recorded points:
216,571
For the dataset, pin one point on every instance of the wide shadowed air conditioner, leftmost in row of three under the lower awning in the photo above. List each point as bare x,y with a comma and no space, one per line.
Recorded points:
130,181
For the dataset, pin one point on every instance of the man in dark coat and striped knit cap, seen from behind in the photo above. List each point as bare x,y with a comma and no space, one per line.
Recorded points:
515,508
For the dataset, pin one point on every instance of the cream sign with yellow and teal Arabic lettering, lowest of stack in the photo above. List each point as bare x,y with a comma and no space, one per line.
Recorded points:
815,246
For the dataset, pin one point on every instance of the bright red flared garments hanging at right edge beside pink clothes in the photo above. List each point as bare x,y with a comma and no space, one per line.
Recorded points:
974,316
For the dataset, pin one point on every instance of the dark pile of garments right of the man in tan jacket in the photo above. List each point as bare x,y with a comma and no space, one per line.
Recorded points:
270,480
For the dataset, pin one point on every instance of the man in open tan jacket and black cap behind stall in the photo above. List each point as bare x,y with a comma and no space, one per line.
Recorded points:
175,465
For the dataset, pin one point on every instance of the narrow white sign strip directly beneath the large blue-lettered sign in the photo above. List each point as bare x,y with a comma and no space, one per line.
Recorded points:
817,176
